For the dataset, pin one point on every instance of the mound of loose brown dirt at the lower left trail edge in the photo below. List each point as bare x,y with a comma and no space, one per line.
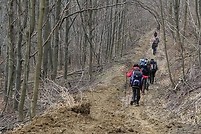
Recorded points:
59,120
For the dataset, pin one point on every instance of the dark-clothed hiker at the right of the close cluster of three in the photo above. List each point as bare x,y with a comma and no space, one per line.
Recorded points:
153,69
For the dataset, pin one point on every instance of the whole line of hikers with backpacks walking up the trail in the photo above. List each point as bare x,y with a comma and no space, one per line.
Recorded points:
142,74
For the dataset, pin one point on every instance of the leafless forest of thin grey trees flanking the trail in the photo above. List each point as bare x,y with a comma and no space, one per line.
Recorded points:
51,51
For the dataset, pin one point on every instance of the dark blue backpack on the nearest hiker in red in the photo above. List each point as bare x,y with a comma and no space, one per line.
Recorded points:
135,79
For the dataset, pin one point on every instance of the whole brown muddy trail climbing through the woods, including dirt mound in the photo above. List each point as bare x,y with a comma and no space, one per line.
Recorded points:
105,105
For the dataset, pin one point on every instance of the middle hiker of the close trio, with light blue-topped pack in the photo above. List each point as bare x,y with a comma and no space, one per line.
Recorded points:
145,67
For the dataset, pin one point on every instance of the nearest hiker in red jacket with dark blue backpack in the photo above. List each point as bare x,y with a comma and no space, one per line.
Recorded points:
136,83
